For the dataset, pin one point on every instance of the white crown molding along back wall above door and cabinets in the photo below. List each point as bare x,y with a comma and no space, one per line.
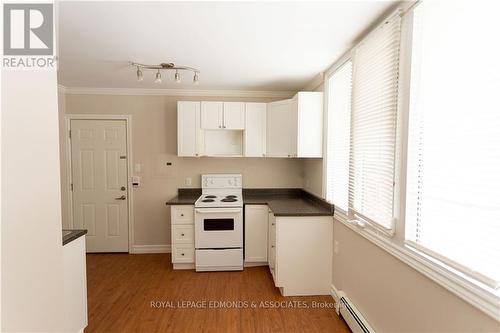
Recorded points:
174,92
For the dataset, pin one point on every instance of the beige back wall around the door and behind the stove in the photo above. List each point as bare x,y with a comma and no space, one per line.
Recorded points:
154,142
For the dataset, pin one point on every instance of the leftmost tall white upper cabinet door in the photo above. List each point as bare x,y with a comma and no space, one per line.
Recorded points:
188,128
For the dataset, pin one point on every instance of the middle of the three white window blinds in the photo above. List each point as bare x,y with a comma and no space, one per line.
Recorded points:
373,126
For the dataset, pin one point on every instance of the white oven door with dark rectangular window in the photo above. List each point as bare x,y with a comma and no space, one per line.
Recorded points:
217,228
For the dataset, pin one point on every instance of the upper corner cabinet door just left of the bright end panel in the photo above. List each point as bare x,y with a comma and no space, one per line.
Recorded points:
281,129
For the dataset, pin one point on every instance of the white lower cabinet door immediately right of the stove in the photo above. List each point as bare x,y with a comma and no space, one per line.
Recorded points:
256,226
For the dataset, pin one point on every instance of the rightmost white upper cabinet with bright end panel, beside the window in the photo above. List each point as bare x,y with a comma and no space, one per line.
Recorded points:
295,126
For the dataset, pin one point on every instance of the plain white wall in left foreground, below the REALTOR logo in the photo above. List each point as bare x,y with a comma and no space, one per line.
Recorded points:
32,258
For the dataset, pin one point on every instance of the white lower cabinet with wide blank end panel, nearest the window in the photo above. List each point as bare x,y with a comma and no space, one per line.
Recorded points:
300,254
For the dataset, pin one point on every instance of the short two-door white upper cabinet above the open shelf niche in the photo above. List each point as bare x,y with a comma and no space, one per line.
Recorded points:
223,115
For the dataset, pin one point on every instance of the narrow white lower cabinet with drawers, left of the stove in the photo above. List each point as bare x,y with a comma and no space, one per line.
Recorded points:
182,230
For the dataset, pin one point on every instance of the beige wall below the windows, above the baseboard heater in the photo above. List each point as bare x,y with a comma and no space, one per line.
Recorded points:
394,297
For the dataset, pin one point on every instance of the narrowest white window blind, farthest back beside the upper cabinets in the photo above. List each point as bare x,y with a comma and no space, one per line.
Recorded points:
338,136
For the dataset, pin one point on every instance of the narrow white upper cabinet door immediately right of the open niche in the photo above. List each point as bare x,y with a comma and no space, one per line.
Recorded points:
255,129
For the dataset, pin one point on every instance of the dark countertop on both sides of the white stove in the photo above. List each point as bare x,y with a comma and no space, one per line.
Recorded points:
283,202
